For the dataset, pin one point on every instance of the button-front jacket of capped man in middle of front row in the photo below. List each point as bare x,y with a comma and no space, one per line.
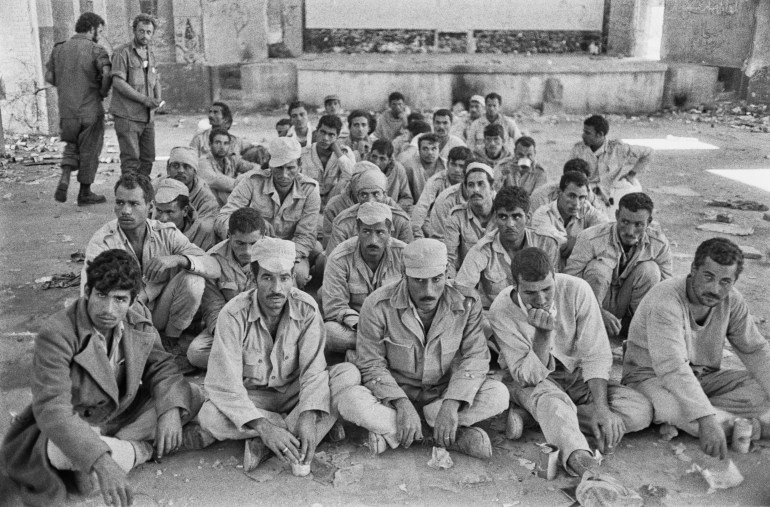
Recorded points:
396,357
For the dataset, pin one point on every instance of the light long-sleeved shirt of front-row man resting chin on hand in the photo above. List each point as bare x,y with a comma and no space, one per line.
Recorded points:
578,339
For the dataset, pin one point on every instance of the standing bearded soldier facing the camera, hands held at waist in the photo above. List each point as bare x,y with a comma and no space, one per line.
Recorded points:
136,98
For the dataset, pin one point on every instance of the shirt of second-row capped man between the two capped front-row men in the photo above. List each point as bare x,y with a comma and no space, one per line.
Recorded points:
348,280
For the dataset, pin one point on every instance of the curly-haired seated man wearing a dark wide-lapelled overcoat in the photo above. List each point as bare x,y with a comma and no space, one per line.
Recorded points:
103,393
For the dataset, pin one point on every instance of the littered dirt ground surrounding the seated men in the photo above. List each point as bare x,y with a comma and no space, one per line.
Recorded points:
38,235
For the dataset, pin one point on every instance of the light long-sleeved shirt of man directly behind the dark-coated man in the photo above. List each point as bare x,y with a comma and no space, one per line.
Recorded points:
161,240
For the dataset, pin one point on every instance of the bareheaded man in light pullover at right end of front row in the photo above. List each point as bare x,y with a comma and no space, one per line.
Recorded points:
675,345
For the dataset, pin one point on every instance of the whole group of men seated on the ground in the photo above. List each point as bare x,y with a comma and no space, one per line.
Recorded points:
430,266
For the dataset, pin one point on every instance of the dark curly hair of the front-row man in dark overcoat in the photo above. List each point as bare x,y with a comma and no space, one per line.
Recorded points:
114,270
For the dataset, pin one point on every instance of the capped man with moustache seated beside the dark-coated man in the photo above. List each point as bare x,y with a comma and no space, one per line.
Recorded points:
267,380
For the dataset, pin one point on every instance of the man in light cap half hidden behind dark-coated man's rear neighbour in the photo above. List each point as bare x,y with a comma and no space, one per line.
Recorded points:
172,205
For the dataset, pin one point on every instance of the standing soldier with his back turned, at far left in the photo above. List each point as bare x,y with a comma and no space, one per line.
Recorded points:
80,70
